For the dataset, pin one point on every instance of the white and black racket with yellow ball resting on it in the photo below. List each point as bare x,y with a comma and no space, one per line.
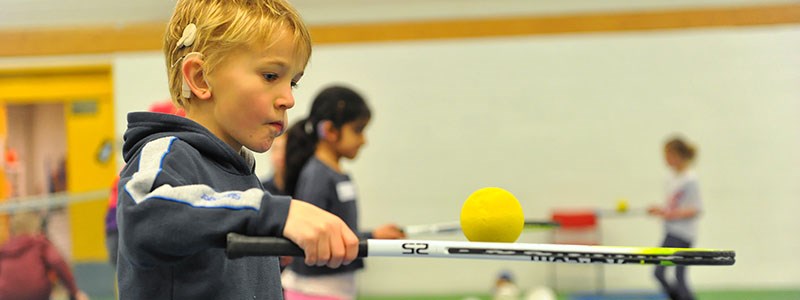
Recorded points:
240,246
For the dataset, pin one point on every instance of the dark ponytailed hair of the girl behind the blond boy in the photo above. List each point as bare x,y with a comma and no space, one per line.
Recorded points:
337,104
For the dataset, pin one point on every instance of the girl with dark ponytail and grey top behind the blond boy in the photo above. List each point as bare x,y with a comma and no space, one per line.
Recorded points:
333,130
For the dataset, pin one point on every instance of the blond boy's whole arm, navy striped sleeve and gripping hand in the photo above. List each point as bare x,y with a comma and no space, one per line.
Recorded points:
163,216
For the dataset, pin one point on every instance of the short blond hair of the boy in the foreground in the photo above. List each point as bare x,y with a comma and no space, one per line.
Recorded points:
227,25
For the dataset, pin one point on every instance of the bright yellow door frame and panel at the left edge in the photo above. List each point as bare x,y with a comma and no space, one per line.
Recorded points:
87,95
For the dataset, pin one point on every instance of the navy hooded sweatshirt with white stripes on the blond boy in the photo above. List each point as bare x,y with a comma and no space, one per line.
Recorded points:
181,192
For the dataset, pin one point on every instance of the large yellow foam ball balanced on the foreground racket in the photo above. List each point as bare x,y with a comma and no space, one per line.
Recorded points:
492,215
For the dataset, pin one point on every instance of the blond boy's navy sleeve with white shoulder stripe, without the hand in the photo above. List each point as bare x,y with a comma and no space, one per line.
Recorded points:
164,215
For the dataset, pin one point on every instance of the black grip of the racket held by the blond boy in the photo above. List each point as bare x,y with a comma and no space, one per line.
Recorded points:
242,245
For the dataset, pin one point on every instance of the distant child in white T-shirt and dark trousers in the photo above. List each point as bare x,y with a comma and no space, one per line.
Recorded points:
680,214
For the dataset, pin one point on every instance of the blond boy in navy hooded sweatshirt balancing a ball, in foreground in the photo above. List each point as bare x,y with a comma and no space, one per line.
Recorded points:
189,181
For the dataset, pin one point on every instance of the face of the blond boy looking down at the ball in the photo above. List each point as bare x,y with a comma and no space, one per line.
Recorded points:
251,91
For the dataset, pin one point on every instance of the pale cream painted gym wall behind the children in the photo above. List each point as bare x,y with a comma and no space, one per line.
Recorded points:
565,121
